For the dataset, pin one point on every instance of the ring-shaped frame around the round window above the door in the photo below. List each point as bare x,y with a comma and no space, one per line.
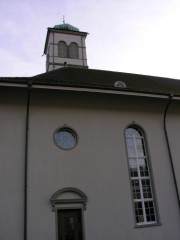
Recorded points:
69,130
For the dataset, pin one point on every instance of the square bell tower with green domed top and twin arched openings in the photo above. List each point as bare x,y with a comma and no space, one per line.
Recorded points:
65,46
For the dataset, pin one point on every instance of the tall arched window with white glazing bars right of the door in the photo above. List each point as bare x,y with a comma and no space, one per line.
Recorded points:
140,176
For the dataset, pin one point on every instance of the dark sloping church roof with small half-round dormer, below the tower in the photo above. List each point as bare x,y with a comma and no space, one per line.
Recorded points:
99,79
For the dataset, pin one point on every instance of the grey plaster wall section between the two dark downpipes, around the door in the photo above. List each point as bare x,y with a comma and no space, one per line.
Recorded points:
98,165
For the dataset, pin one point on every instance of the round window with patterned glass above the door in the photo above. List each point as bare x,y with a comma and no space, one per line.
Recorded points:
65,138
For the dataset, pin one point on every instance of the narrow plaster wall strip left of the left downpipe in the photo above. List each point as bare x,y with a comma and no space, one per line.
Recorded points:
12,141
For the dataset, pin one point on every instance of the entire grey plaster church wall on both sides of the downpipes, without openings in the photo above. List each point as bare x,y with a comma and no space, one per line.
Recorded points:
97,166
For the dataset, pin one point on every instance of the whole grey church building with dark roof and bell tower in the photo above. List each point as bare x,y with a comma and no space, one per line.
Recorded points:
88,154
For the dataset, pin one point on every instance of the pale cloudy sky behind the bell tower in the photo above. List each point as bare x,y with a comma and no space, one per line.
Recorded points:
134,36
